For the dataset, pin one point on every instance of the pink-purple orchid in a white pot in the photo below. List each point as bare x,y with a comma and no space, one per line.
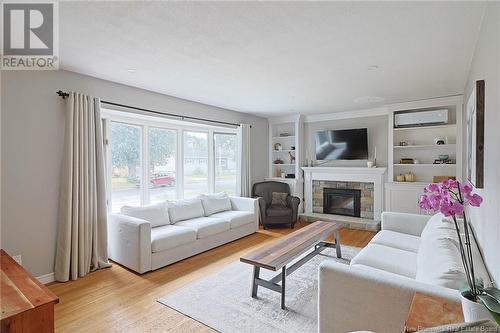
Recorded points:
452,199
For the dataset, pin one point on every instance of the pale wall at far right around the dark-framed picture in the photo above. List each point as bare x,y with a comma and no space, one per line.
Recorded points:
486,66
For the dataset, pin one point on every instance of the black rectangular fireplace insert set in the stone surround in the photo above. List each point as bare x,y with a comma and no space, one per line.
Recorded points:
342,201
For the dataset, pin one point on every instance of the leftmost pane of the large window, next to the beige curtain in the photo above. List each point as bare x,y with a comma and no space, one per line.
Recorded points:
126,165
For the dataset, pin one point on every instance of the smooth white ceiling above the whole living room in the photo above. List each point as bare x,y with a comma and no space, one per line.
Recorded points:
274,58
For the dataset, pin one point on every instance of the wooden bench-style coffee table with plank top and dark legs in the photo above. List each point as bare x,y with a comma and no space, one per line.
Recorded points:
281,252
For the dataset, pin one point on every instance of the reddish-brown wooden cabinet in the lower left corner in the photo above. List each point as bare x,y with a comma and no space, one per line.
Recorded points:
26,304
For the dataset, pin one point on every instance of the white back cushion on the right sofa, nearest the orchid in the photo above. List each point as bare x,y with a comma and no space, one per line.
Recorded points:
439,263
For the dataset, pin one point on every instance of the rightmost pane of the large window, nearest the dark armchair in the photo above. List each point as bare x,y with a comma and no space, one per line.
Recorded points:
226,173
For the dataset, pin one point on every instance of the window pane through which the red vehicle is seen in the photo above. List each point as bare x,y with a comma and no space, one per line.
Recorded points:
162,153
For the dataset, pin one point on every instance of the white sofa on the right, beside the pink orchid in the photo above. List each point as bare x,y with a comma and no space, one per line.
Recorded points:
411,253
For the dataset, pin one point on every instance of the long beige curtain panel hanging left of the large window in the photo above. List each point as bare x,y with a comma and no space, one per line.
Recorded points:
82,232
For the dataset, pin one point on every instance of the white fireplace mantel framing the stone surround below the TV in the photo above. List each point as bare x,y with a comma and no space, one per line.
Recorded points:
346,174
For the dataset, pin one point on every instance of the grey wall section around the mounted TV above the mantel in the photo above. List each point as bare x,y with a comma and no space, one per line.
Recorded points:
377,136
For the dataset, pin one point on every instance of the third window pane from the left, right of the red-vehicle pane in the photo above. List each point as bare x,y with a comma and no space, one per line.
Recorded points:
195,163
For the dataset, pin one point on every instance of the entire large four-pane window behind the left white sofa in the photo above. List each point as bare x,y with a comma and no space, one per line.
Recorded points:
150,161
